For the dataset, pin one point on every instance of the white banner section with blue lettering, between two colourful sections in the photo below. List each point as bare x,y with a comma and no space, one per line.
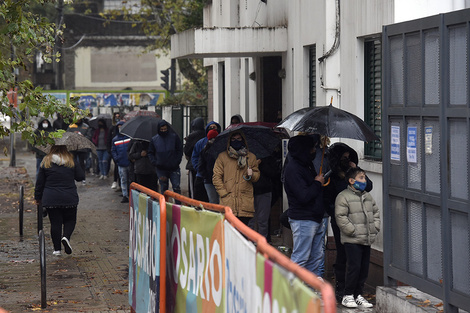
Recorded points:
240,272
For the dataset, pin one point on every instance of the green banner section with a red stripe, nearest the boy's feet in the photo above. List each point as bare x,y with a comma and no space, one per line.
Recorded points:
280,291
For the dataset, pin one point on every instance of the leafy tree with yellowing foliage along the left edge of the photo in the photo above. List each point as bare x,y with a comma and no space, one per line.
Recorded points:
22,34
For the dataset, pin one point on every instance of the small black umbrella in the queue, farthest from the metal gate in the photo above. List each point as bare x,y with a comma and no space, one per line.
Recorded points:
141,127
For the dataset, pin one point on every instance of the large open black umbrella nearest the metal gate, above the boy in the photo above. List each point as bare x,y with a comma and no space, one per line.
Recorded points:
328,121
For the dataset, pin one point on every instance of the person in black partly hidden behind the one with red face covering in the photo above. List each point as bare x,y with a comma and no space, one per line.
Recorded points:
197,133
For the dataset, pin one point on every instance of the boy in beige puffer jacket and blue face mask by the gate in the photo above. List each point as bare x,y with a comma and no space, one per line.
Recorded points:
358,219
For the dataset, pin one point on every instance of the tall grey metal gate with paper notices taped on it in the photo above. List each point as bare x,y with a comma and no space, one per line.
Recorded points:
426,112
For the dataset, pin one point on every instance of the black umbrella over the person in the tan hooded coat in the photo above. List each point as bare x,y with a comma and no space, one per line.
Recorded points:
261,140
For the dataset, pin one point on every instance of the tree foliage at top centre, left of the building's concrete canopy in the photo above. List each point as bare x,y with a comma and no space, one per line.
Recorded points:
161,19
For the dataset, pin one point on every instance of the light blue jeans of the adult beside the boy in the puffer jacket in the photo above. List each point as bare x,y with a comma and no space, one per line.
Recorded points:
308,244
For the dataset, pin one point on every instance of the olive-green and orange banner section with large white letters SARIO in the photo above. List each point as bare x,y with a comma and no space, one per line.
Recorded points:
195,256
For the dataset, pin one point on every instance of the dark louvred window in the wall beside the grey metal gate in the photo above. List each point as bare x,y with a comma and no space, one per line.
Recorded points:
373,96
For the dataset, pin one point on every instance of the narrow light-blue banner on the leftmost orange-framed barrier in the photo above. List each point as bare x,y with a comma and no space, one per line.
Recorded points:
144,253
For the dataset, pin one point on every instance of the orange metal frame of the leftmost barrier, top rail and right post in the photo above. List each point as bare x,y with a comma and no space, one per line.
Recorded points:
161,199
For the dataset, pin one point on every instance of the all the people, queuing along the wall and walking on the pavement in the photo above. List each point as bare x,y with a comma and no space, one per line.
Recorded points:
234,178
